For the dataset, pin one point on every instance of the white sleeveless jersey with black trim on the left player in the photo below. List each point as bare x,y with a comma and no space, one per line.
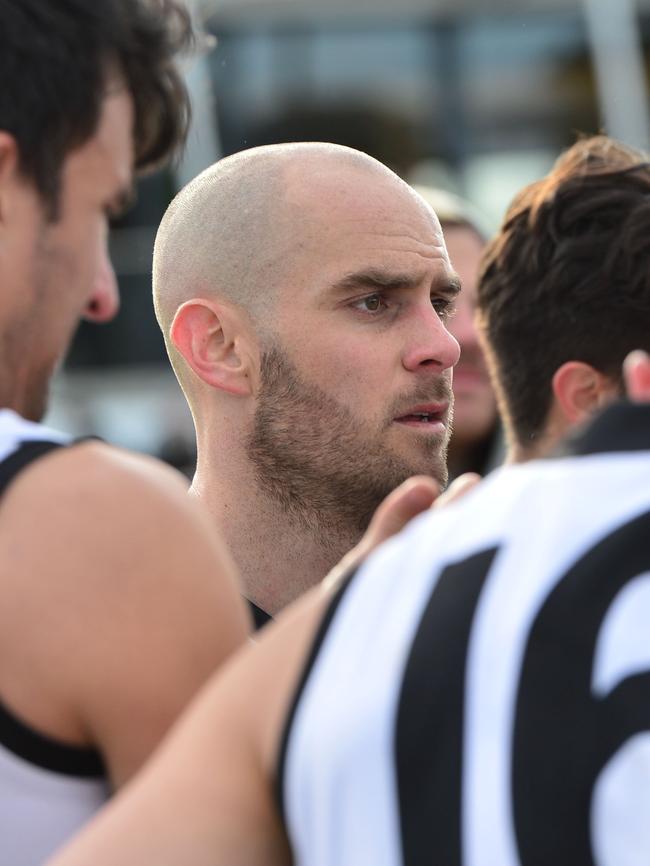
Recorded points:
48,789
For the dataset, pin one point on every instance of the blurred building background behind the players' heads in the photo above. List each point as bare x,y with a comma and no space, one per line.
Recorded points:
477,97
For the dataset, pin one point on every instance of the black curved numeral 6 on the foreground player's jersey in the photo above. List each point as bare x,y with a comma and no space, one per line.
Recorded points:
562,730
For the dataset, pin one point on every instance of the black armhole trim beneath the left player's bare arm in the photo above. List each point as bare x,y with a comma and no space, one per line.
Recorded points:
47,753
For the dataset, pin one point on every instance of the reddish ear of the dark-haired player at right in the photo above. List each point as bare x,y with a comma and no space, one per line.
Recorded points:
580,390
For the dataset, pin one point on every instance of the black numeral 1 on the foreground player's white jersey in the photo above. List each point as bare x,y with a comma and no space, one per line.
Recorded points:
429,728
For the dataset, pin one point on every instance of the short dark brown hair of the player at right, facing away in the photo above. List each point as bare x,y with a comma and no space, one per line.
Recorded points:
567,278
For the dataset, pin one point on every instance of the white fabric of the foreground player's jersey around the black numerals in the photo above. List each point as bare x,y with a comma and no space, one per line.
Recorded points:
341,791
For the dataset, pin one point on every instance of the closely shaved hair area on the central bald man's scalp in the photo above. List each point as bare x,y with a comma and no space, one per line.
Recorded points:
233,232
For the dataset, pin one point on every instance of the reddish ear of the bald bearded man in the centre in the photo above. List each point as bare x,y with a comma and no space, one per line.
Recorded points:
209,337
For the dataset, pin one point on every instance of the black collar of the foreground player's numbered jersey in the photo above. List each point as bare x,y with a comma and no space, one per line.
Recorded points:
621,427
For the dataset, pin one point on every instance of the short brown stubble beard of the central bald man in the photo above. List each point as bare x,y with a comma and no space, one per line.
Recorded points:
319,463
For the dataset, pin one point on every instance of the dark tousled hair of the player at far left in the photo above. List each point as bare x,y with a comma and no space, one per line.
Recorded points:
59,57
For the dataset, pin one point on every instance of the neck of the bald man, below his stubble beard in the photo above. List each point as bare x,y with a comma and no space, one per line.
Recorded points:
278,559
